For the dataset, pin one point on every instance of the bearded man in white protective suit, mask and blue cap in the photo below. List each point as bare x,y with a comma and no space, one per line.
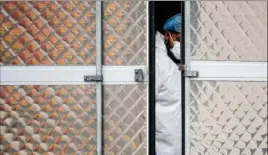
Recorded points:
168,89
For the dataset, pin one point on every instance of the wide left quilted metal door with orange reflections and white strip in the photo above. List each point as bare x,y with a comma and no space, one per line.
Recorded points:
73,77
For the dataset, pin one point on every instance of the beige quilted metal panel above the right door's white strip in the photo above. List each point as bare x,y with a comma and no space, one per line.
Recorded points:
229,30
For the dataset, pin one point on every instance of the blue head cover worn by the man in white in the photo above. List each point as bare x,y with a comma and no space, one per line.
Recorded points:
173,23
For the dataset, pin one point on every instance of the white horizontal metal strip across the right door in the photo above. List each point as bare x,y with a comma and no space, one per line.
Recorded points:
230,70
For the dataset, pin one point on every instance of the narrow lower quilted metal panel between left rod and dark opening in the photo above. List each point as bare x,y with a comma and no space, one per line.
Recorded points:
125,119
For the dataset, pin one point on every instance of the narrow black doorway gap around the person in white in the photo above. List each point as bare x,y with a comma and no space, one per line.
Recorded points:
159,12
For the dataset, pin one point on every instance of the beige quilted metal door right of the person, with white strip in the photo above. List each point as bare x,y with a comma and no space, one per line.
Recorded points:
226,105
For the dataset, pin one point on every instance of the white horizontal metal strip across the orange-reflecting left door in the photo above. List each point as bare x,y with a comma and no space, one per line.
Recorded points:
66,75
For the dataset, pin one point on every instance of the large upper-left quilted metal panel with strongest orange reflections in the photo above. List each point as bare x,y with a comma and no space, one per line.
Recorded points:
47,33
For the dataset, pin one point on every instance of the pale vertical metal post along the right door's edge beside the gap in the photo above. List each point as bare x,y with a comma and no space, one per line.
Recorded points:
187,39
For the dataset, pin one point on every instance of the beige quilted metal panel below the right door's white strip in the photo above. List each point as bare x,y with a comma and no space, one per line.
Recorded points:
228,118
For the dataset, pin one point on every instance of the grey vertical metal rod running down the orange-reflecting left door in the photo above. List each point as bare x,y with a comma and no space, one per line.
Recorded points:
99,46
